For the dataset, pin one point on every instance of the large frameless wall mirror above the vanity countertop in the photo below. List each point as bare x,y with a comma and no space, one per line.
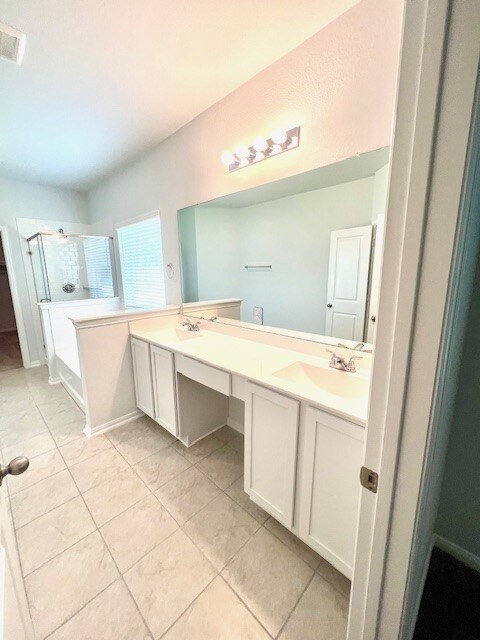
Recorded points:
301,254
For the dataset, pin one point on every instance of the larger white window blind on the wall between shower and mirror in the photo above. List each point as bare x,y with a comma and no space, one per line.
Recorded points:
141,262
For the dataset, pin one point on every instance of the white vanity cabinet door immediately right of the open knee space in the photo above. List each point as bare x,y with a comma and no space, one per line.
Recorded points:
271,436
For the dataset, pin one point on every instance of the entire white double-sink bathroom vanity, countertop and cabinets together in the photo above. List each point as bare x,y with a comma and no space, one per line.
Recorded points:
304,421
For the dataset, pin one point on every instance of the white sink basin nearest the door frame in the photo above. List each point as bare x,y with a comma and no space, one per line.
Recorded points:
338,383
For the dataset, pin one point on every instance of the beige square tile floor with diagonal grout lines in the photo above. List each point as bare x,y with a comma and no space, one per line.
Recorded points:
131,536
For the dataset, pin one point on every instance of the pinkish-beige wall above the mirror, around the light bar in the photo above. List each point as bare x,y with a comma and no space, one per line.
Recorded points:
339,86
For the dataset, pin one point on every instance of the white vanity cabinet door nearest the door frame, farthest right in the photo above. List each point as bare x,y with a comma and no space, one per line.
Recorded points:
330,467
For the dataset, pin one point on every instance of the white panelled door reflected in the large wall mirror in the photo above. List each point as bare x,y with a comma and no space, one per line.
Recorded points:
347,287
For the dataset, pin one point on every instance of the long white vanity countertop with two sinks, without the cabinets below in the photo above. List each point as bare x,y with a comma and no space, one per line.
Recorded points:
297,374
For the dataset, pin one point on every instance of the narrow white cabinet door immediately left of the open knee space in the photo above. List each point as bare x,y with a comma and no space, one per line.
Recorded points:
163,374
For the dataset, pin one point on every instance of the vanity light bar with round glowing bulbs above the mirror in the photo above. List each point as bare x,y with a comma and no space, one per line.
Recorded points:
262,148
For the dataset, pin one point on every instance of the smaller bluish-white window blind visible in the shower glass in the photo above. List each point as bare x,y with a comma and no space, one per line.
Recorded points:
99,267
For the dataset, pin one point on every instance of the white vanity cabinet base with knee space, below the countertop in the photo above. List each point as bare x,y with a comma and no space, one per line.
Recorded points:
301,463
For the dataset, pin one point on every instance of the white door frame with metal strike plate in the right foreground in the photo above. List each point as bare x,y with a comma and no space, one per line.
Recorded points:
439,62
